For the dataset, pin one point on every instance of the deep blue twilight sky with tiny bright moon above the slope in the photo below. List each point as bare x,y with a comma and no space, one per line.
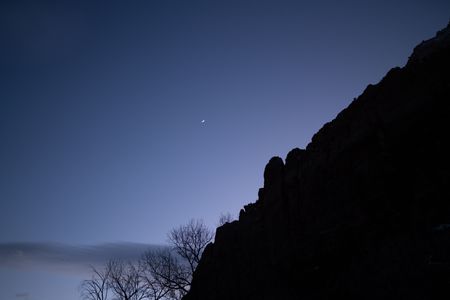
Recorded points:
120,120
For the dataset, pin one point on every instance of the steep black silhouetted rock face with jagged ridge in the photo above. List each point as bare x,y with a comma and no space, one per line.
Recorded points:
362,213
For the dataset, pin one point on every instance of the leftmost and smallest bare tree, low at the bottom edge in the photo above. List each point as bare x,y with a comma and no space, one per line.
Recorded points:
97,287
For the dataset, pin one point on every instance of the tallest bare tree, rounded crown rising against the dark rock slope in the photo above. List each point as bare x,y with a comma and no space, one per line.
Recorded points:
190,240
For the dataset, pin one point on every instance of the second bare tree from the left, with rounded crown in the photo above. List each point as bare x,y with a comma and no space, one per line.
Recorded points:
125,281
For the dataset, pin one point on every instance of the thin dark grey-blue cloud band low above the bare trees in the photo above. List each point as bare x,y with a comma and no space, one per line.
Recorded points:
62,257
